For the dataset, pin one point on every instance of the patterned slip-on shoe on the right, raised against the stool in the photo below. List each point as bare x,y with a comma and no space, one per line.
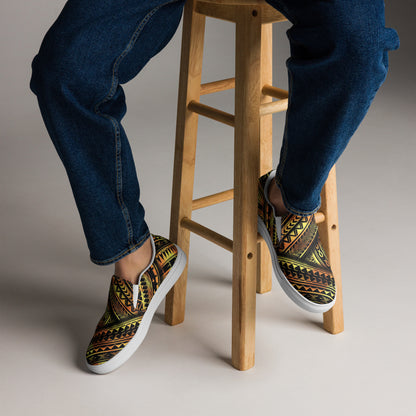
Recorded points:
299,260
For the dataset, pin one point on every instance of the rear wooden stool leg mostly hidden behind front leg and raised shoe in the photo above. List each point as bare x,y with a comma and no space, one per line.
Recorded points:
264,264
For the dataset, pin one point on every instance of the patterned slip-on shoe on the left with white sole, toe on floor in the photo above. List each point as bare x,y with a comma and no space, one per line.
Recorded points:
130,308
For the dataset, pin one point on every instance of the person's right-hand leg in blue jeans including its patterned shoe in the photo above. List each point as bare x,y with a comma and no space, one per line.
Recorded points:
338,61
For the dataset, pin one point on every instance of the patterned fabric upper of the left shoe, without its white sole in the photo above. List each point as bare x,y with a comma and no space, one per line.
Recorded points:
121,320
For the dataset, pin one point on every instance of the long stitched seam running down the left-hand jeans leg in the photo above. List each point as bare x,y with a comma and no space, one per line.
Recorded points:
116,124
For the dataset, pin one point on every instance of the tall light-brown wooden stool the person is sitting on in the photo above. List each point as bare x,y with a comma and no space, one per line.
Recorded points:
252,157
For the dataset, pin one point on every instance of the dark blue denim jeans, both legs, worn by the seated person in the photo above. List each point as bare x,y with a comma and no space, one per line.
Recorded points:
338,61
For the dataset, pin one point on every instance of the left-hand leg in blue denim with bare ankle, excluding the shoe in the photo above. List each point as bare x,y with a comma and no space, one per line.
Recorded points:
89,51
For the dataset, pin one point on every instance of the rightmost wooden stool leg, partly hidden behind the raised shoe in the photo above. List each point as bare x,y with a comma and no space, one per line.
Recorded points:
329,234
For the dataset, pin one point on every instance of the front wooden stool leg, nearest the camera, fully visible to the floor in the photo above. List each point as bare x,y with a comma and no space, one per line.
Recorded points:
246,170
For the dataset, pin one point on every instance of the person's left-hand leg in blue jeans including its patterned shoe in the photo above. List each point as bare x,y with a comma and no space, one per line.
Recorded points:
91,49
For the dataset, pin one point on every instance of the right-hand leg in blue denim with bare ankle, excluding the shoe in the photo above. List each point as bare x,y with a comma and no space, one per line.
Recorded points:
338,62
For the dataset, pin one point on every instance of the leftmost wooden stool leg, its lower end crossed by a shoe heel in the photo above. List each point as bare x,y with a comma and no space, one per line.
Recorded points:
185,147
